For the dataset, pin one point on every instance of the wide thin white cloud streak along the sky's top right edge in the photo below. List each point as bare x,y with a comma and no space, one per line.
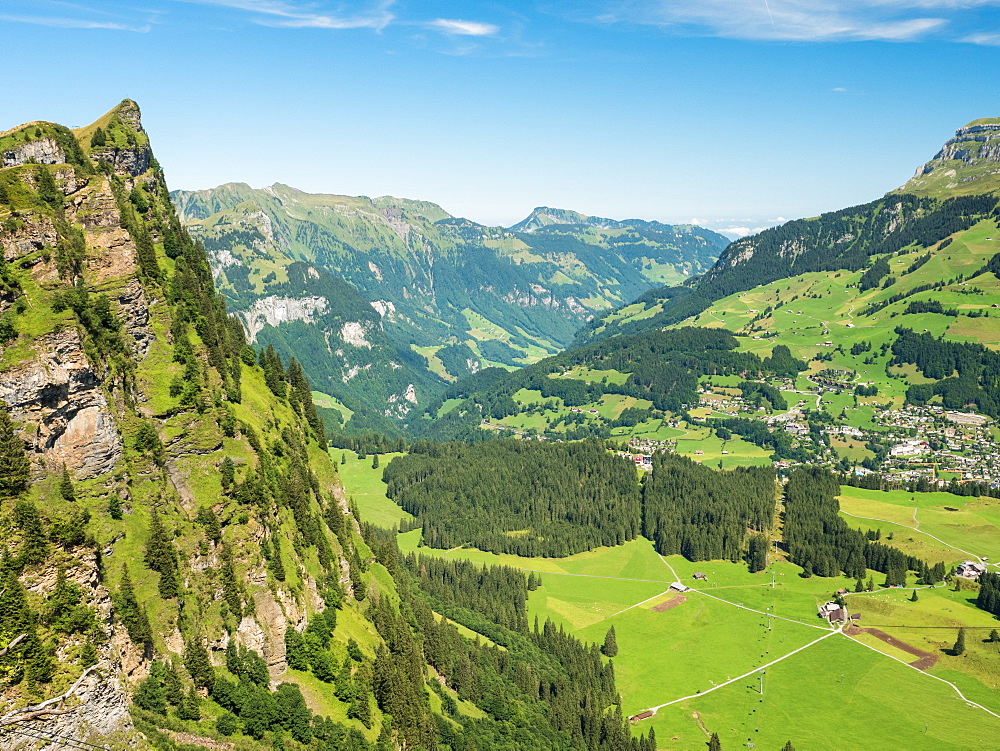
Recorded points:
793,20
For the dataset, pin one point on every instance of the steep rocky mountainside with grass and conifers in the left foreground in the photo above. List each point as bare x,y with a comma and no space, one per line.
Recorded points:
178,562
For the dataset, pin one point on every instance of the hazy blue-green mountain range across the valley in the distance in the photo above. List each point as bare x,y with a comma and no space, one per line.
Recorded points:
451,296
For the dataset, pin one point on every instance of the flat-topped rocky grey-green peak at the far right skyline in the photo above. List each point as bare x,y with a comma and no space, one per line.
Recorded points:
968,163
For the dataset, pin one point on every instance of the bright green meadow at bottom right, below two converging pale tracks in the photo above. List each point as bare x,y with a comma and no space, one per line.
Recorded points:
836,694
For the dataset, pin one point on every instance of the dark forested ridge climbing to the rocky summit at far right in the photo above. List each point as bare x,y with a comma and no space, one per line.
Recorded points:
949,194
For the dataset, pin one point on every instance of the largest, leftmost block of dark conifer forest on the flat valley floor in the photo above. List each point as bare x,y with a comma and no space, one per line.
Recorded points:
518,497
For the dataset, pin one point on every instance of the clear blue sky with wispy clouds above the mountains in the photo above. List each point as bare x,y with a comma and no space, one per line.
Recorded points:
735,113
